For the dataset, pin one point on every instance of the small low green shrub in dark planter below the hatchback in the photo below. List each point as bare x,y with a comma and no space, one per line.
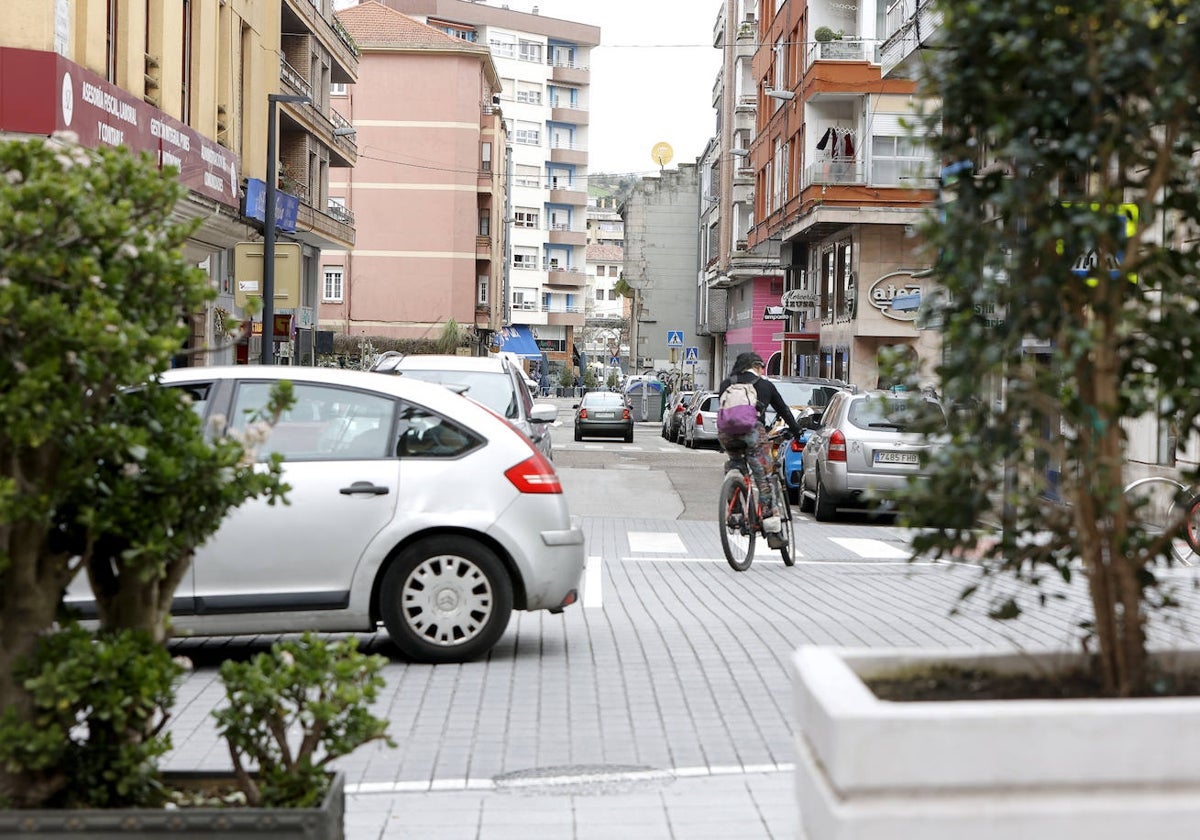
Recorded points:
295,711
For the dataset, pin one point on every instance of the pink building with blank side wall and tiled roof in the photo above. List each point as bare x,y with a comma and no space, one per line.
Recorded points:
429,200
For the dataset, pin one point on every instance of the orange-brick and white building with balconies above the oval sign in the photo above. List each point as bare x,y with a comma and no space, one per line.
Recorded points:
838,184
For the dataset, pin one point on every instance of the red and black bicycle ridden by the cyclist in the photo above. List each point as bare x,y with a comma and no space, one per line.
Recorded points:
741,513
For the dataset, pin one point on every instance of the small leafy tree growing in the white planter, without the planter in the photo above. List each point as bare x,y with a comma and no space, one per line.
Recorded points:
1066,221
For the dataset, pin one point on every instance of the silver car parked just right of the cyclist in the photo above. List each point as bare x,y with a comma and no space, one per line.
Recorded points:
865,447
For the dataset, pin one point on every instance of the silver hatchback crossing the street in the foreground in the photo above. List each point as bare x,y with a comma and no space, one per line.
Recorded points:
411,507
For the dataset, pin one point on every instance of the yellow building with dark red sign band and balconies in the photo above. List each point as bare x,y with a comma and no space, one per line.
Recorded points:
190,83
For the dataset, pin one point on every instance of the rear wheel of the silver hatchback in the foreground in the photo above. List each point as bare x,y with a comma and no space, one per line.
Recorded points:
473,596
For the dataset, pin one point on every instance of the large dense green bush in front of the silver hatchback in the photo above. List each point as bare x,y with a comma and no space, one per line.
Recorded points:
105,473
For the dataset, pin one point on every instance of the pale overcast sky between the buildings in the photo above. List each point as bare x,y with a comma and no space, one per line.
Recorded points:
652,77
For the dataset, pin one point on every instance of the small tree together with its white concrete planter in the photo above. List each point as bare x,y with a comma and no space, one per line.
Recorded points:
1064,226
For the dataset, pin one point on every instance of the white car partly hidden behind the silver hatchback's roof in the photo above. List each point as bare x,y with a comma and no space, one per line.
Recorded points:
494,381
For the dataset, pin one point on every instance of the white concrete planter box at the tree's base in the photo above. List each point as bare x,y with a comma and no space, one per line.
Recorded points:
1029,770
